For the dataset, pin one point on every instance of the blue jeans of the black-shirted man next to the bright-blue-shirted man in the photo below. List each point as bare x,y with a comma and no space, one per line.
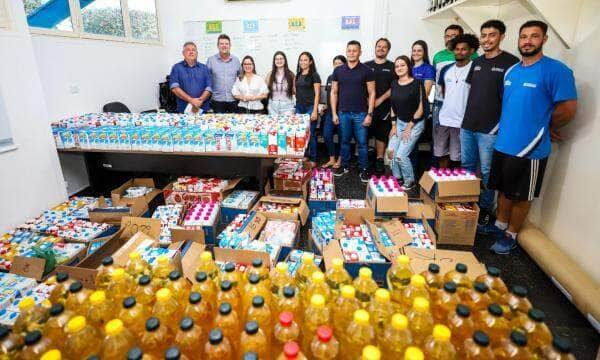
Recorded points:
476,148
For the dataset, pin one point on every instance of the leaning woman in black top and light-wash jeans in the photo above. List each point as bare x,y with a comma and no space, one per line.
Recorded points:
407,97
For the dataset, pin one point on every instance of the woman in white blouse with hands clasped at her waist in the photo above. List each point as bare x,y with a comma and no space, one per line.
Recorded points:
249,88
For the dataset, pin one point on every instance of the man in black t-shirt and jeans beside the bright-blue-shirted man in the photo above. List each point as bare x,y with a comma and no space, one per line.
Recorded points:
482,115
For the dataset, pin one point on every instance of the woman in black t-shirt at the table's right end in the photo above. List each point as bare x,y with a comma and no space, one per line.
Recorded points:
308,92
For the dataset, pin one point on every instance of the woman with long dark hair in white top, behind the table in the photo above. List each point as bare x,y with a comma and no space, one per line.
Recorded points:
280,81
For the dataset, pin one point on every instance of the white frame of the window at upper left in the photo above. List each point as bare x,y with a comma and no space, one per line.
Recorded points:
79,33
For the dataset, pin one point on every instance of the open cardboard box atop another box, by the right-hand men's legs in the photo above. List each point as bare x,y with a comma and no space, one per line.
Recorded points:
449,191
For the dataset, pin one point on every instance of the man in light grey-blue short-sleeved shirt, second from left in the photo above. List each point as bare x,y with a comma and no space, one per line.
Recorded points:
224,69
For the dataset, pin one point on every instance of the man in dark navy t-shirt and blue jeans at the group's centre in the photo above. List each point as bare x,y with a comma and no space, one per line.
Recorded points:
353,85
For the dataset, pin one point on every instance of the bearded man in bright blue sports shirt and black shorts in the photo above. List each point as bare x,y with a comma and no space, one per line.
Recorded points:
539,98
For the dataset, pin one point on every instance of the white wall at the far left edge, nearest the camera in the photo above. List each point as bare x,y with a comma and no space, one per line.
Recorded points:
30,177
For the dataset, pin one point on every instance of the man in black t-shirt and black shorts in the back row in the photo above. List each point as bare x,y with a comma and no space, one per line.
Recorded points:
384,75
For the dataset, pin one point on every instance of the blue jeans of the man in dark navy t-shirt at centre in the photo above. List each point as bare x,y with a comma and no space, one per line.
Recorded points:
351,125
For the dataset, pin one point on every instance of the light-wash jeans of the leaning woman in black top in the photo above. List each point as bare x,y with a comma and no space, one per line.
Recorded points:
401,165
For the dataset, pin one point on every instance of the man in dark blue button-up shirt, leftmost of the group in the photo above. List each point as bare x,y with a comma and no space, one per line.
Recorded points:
190,81
